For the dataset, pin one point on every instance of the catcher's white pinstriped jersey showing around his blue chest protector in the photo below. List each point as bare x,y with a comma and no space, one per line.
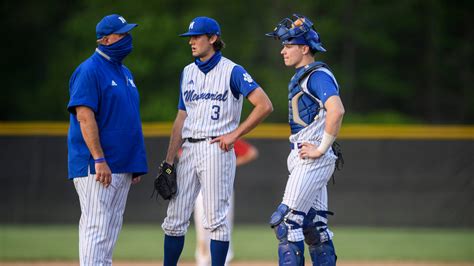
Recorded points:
315,130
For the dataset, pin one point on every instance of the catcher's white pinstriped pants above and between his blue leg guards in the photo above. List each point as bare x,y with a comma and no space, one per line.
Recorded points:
306,187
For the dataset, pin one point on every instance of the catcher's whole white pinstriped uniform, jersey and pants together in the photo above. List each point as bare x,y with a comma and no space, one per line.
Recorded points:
306,186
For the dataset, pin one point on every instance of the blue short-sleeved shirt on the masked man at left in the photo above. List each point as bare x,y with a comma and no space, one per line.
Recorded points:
109,90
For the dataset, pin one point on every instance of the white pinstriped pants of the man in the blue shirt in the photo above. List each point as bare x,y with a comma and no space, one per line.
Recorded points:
101,216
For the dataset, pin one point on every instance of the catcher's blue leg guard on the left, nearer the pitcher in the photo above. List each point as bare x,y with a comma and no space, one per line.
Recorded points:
289,253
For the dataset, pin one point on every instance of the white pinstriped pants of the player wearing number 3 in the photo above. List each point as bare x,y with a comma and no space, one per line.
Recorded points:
202,167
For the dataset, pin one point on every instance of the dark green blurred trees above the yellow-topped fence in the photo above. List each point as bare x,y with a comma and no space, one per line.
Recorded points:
407,61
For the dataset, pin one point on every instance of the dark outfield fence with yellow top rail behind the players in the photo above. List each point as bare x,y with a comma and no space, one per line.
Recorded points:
393,176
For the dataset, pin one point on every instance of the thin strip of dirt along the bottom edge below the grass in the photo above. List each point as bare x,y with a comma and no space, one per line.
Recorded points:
240,263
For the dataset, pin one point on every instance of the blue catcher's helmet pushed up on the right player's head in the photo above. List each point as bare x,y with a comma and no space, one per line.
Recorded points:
298,31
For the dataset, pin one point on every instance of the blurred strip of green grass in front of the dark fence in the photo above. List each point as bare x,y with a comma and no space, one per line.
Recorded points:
145,242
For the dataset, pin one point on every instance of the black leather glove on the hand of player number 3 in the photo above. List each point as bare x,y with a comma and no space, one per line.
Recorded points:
165,183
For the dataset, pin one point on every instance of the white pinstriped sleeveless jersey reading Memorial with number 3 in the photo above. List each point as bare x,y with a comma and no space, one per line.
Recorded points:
212,108
